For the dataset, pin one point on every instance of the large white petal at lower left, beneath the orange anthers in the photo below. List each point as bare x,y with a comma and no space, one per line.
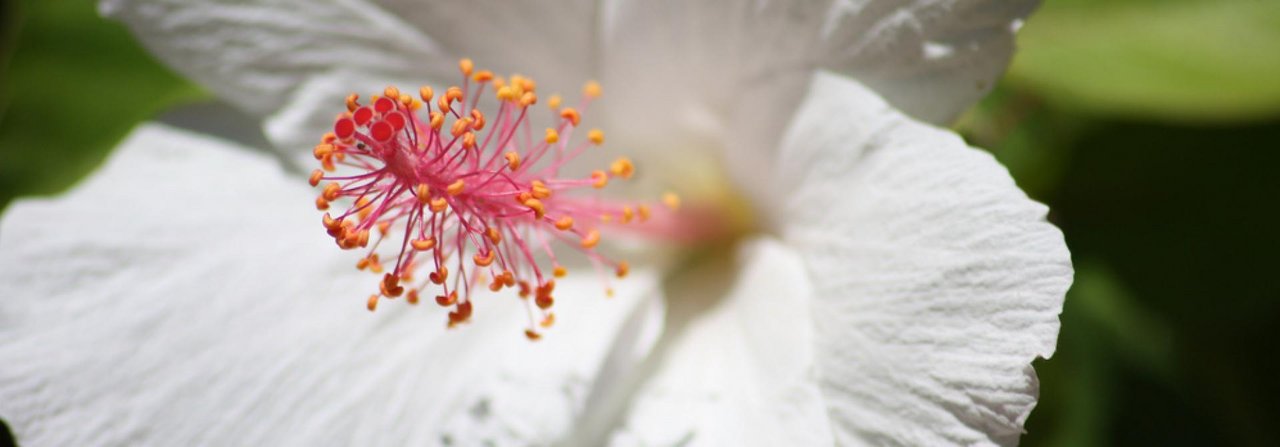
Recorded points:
186,295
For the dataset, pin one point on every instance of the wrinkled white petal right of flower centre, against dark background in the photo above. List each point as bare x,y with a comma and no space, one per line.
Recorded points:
936,280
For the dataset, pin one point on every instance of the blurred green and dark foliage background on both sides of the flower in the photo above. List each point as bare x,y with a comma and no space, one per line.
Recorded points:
1150,127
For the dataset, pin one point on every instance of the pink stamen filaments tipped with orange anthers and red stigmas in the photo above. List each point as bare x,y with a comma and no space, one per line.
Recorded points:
444,197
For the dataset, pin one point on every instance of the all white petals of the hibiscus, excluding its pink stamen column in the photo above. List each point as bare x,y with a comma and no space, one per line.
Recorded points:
895,290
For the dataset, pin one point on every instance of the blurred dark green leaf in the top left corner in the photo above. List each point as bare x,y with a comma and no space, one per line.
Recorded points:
74,86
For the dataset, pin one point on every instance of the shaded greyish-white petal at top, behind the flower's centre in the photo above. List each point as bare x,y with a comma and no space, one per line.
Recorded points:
730,75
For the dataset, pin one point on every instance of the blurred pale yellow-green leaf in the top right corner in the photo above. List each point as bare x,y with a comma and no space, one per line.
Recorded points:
1176,61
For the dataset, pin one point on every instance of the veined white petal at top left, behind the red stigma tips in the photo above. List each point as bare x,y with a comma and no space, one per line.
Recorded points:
267,56
